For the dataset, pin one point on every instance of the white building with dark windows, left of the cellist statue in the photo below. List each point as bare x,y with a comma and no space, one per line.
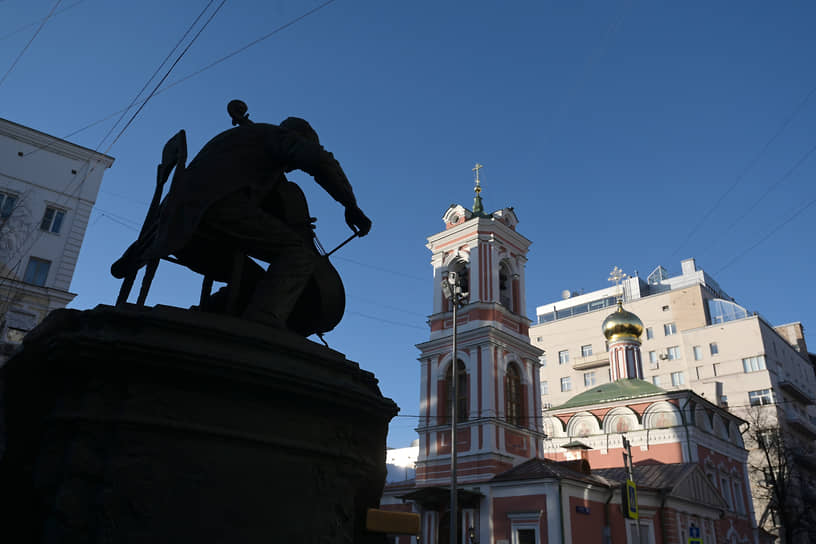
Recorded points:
48,188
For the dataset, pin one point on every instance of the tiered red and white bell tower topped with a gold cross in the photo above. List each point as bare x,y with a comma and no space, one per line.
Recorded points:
498,398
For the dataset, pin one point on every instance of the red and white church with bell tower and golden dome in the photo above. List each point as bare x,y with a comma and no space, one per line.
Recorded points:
521,478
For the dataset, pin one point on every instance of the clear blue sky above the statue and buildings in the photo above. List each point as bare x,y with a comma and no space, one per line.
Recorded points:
612,127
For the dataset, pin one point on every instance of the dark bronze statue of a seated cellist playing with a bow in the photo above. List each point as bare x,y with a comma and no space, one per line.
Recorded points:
233,202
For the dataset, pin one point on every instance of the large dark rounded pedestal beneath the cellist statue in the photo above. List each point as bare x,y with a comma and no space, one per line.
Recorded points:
162,425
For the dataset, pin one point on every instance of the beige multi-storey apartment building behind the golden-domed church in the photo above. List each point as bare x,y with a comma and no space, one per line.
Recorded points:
696,337
